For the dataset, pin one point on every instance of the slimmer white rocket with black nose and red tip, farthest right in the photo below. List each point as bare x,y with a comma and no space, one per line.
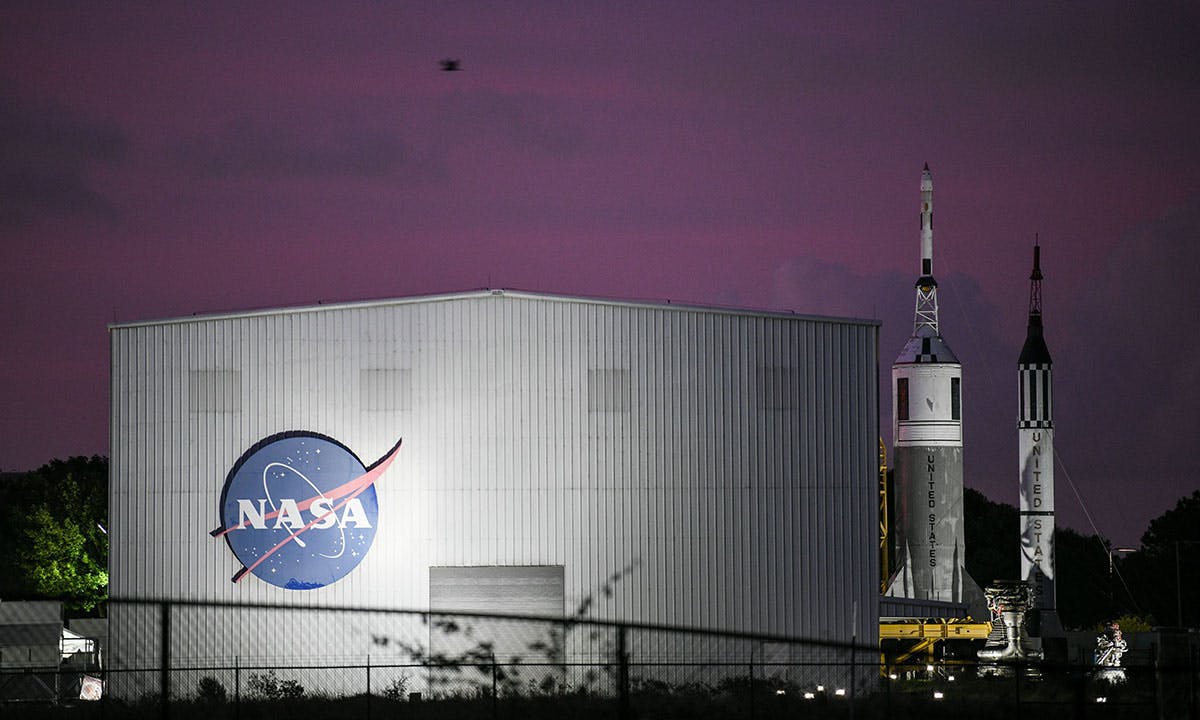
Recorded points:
1036,443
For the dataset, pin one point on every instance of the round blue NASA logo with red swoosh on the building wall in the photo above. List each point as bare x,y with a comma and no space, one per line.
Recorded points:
299,511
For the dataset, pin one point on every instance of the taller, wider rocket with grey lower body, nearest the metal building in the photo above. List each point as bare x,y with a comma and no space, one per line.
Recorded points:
927,430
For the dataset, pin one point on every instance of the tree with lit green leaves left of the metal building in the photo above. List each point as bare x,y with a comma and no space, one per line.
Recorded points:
59,514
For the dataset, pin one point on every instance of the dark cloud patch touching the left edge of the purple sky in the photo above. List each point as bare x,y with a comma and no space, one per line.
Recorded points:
47,152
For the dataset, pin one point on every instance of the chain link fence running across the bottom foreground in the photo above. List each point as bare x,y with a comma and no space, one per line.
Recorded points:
183,661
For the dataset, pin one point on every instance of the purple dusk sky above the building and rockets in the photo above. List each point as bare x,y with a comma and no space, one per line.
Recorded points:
193,158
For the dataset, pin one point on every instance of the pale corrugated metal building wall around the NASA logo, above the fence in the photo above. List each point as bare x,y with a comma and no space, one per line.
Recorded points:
725,459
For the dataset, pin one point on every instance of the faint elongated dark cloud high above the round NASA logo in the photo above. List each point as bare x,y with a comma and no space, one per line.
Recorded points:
249,148
